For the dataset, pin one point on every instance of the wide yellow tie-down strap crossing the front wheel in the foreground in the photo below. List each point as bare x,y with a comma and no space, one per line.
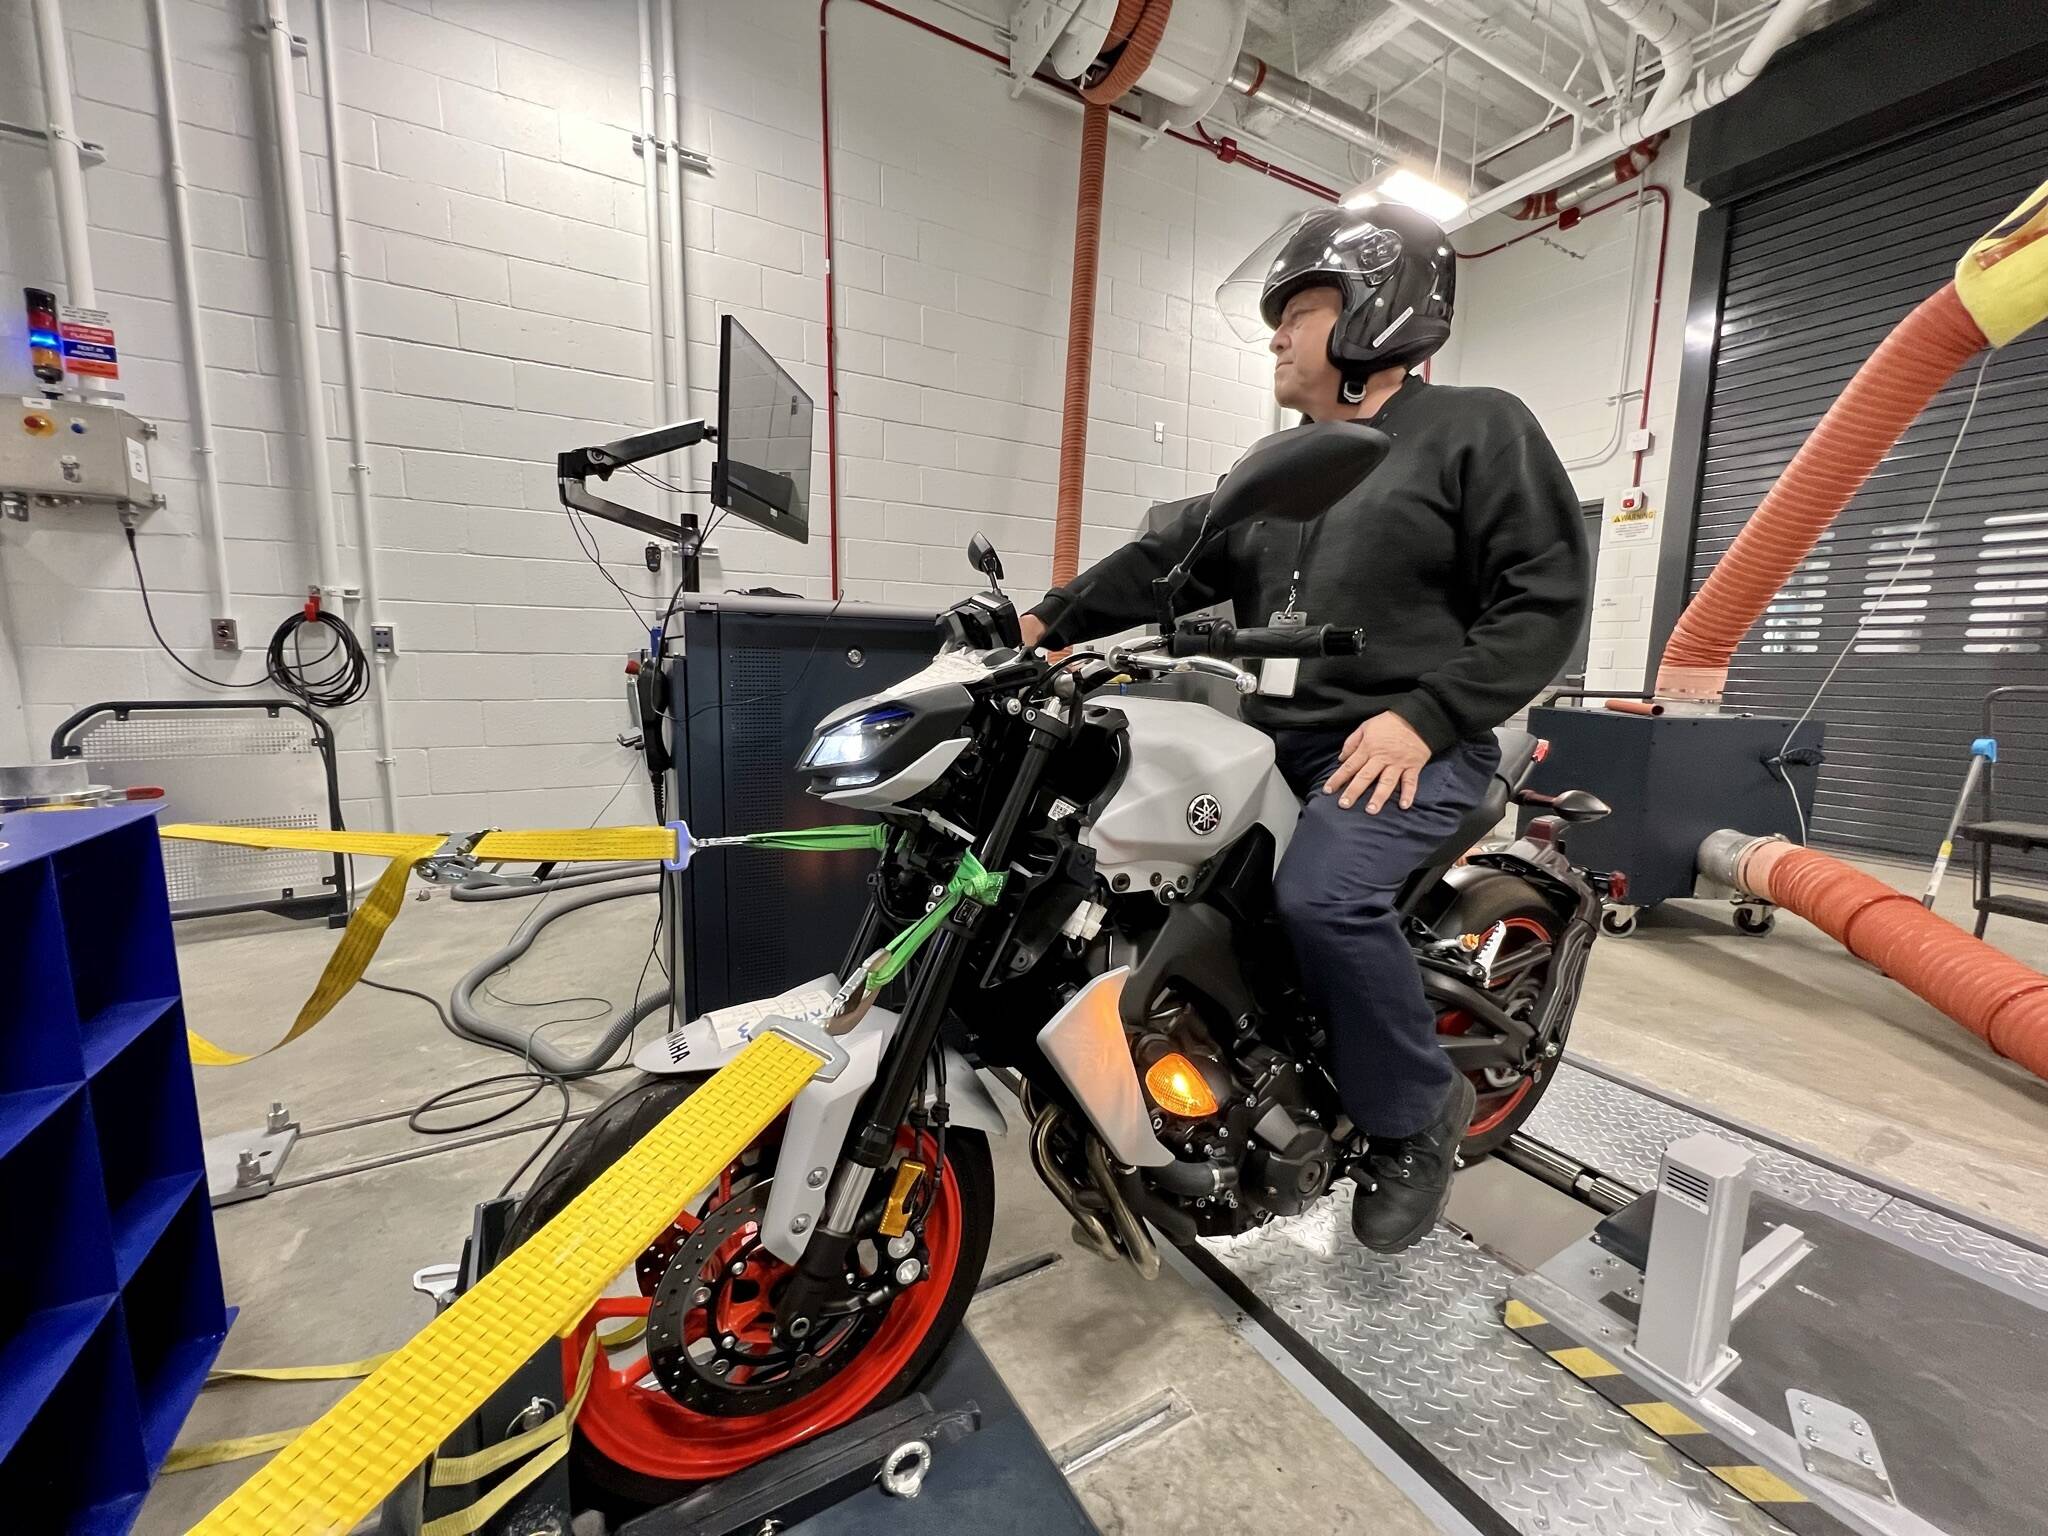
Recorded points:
364,1447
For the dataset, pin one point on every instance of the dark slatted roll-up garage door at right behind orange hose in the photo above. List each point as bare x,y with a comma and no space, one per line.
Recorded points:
1818,273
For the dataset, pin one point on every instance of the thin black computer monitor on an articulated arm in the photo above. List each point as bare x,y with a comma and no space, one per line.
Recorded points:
763,472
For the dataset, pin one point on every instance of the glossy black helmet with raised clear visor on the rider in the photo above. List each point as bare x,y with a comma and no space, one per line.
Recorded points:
1392,265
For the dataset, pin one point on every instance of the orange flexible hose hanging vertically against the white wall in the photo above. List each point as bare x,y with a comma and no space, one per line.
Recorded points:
1136,32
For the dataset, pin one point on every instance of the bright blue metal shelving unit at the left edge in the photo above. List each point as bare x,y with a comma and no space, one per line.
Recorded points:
112,1304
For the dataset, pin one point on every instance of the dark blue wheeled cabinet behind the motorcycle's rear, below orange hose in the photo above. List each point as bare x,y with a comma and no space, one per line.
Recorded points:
1672,779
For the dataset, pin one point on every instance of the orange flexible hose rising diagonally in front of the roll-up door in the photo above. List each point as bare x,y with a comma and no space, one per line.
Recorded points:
1871,415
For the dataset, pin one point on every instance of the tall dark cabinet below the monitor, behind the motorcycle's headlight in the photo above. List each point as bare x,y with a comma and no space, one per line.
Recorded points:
753,679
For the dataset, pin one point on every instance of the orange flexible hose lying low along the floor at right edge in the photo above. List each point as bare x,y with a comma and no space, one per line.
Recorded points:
1988,992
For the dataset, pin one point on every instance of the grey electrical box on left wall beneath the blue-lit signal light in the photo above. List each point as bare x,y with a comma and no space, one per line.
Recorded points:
60,454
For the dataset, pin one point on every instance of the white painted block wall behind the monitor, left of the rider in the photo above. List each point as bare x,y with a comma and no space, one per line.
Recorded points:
499,237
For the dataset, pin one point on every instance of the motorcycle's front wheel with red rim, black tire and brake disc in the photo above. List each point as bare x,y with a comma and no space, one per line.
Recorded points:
636,1443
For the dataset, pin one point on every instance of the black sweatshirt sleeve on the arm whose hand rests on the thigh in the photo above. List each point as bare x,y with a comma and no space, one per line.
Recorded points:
1527,556
